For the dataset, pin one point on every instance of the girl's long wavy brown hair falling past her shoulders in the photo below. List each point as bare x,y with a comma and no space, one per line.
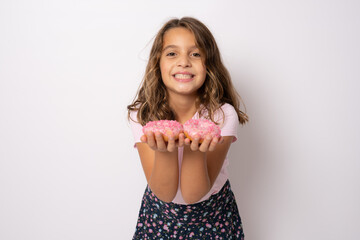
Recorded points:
151,100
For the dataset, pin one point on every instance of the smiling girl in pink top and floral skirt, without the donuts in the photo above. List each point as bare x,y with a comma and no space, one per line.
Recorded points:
188,195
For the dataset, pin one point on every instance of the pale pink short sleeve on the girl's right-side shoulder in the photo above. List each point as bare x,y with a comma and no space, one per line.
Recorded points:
229,125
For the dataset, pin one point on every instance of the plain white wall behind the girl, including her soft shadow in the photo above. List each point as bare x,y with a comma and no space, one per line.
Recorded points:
68,69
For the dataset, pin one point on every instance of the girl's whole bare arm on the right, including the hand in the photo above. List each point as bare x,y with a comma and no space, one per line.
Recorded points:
201,166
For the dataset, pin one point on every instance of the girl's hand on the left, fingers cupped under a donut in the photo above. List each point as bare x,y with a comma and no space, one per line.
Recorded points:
157,143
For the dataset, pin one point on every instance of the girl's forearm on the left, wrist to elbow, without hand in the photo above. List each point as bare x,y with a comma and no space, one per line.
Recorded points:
165,175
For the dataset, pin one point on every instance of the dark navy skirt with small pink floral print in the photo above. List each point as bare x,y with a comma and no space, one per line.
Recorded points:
215,218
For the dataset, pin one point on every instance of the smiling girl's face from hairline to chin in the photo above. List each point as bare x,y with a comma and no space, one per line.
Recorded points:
181,63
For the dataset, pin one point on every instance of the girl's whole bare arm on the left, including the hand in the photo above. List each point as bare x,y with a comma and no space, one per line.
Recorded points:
160,164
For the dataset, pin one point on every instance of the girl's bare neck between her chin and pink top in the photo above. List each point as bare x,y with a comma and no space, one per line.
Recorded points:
183,106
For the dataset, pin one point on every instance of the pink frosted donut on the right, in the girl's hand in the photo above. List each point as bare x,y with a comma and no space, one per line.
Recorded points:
202,128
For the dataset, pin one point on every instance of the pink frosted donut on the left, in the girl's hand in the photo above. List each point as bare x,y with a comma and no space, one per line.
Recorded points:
165,127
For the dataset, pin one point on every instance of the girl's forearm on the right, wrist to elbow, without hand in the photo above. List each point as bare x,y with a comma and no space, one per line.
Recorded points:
194,177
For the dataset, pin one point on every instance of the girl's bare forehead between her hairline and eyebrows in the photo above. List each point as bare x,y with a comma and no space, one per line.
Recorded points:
179,37
